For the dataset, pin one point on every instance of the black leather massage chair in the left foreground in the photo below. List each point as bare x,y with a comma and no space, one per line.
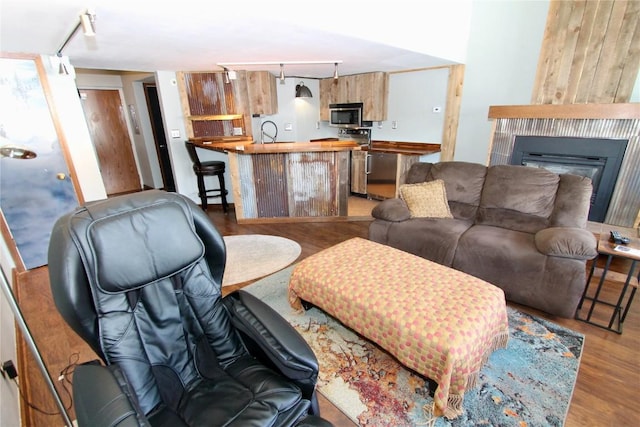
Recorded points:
138,277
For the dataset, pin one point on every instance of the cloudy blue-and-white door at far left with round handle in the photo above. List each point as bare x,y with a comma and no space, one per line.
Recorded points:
35,190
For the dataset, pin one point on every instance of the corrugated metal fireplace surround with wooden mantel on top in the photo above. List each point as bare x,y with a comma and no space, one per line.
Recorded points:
601,121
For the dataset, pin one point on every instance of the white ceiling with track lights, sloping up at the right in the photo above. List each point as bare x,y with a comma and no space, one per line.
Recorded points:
193,35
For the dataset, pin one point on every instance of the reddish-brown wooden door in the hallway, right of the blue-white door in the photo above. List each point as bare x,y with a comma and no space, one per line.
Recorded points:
104,113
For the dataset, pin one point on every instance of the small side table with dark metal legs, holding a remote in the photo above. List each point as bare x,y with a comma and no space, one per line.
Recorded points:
621,307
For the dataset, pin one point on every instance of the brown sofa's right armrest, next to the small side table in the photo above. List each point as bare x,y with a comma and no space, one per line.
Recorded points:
567,242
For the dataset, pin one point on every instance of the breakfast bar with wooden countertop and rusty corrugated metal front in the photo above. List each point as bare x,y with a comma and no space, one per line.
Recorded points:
287,181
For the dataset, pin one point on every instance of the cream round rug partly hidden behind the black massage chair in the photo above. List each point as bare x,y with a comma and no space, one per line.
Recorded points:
252,256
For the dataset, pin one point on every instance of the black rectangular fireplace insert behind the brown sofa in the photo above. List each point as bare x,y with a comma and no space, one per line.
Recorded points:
596,158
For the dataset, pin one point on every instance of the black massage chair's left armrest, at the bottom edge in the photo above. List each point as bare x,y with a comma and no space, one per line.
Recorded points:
102,398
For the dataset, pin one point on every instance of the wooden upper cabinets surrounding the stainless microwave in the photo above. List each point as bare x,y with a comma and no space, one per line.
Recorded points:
371,89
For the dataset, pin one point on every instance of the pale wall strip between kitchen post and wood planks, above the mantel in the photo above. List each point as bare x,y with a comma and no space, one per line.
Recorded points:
504,46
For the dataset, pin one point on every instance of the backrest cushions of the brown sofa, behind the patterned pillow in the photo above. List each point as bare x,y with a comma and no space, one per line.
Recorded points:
513,197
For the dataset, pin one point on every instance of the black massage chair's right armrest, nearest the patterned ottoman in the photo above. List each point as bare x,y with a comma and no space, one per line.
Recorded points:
271,339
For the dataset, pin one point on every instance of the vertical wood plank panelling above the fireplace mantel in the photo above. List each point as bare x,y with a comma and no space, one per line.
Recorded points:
590,52
